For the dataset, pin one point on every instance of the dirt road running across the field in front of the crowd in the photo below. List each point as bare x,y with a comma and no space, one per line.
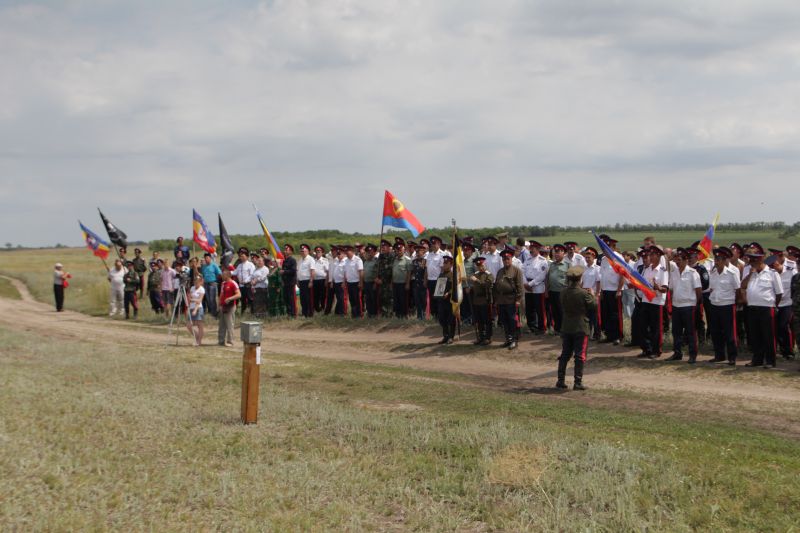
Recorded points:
616,377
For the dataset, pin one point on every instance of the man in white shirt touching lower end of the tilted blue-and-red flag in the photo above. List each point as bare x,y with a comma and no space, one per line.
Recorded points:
652,319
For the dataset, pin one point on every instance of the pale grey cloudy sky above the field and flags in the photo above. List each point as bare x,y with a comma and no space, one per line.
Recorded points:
495,113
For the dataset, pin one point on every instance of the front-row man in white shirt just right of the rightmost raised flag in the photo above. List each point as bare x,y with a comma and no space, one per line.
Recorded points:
724,282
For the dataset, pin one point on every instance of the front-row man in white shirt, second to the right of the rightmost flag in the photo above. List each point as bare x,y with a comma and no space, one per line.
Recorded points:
764,290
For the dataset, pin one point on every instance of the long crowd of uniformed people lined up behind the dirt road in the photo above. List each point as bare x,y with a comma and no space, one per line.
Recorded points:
744,295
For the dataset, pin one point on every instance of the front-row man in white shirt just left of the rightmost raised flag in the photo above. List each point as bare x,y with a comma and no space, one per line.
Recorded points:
687,295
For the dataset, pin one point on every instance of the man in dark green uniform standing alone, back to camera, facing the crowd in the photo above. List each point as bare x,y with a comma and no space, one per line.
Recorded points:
576,305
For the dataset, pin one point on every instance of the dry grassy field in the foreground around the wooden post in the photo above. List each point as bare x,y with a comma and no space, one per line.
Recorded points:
102,436
